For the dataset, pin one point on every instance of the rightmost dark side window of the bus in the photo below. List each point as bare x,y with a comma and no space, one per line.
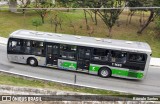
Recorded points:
133,57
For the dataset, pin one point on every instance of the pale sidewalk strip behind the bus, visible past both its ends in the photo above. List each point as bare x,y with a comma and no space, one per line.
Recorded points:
154,61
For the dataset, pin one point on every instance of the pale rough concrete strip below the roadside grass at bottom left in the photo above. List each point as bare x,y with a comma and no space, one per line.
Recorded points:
8,89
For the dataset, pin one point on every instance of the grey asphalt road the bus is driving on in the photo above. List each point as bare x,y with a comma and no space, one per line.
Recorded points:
149,86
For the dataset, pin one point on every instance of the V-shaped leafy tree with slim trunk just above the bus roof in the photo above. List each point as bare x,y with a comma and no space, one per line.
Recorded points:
109,16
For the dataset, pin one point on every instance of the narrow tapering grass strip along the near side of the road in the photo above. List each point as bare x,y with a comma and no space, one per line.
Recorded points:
19,81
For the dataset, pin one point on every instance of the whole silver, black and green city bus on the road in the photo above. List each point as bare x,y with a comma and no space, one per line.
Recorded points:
99,56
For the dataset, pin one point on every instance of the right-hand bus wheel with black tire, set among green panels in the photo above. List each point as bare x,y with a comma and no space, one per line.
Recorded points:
104,72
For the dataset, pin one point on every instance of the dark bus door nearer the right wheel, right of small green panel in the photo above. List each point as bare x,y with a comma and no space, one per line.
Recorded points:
83,61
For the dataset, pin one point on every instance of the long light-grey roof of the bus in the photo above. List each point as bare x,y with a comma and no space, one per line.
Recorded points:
123,45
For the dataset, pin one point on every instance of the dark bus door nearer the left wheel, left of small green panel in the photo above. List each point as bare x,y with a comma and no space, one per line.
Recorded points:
52,54
